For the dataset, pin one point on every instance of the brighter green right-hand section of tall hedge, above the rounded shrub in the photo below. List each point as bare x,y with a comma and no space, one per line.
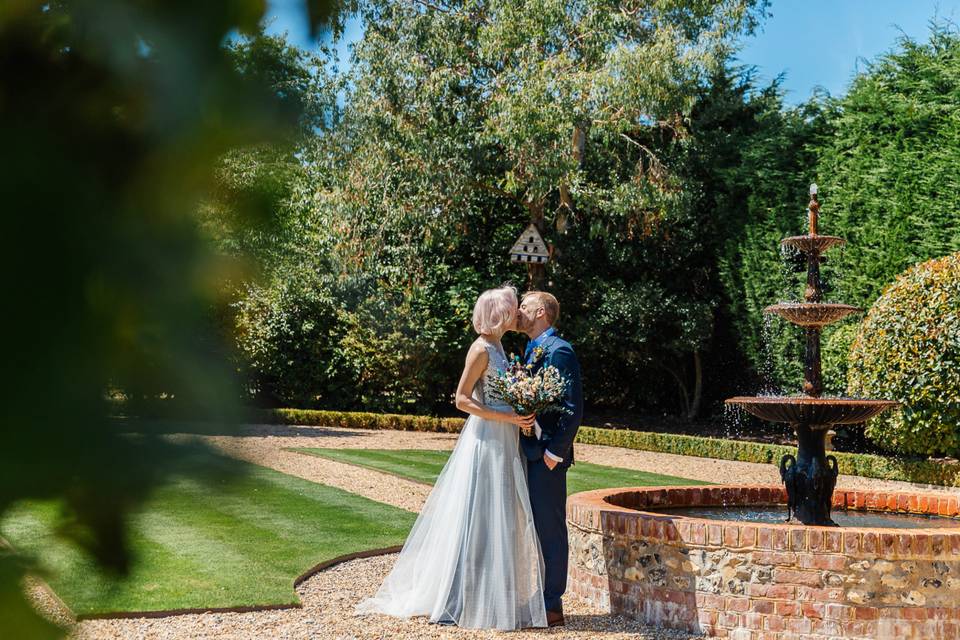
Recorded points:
888,170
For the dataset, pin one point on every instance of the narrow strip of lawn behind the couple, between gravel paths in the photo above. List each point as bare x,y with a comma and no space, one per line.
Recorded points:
425,466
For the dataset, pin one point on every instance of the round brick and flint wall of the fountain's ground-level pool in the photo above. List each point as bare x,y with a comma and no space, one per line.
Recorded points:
745,579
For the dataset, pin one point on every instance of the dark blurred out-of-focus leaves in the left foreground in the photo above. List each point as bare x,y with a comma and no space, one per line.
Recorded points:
113,116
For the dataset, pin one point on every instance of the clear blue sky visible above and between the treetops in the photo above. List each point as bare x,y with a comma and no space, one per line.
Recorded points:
812,42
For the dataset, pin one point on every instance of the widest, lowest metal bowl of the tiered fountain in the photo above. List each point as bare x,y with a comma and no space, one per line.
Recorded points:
816,412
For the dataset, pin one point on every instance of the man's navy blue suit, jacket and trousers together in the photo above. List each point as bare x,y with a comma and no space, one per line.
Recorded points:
548,489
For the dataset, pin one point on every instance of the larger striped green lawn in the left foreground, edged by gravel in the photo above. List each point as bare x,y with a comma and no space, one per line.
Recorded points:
204,541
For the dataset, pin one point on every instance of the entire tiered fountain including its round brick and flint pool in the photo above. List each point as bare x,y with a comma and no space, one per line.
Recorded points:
721,560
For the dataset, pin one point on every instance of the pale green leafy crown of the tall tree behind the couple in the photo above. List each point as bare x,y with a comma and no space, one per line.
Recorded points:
509,98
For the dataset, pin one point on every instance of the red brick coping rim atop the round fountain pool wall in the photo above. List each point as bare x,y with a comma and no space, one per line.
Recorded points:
623,511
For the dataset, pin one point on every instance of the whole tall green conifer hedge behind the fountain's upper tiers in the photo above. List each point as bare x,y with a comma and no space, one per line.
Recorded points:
885,156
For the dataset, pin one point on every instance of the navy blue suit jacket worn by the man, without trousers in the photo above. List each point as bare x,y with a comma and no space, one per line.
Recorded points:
559,429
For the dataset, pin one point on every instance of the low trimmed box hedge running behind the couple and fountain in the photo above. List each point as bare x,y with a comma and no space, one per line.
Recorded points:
855,464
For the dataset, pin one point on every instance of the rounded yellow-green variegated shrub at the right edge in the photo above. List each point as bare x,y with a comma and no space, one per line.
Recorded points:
908,349
